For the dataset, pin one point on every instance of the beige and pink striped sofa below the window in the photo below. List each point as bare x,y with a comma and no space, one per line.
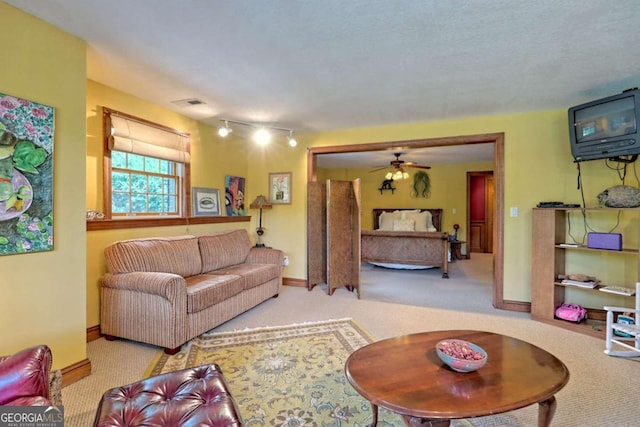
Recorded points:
166,290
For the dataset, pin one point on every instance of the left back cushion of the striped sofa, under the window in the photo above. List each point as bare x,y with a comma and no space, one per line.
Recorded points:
178,255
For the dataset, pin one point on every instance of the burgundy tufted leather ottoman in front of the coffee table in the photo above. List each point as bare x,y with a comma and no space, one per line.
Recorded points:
189,397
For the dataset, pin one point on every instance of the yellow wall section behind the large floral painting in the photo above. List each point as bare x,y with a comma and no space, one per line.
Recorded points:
42,295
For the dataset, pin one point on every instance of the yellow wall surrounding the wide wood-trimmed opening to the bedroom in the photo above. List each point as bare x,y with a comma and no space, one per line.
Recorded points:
538,166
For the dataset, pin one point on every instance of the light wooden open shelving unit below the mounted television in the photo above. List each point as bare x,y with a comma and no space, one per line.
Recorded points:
548,261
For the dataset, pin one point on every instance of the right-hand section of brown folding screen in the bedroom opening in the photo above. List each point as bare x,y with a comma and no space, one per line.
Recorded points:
343,235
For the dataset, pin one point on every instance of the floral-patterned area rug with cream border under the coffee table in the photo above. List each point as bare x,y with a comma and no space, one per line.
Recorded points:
292,375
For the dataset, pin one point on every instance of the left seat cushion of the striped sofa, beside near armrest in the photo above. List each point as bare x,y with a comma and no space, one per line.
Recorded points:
205,290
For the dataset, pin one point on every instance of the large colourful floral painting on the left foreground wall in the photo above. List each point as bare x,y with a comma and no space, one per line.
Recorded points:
26,176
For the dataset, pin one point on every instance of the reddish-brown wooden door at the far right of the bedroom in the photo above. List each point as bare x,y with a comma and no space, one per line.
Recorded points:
480,211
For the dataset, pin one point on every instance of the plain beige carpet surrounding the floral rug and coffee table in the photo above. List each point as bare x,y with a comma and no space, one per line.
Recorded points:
602,390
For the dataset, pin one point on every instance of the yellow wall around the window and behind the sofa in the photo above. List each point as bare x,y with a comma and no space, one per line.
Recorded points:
211,160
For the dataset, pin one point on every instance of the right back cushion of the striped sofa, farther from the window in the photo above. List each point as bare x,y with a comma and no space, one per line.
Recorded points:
223,249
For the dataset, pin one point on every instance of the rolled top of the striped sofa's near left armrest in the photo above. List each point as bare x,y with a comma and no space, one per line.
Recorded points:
166,285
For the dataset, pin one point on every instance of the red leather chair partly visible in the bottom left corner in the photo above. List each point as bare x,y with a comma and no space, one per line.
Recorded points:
24,377
